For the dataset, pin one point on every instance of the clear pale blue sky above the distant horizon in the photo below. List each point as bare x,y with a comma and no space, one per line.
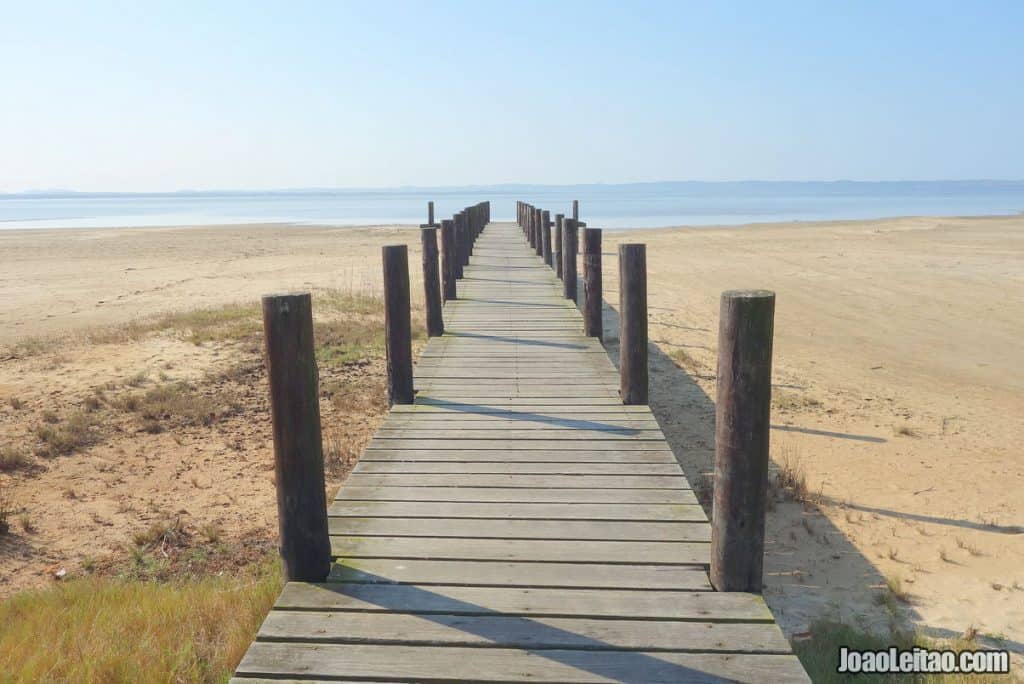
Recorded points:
172,96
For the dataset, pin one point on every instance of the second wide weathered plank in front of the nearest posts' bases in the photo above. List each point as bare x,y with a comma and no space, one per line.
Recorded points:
508,632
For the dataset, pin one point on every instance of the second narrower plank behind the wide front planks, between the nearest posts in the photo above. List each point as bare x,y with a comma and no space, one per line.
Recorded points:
535,550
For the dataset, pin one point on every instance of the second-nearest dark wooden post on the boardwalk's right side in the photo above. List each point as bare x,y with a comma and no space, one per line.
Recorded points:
633,323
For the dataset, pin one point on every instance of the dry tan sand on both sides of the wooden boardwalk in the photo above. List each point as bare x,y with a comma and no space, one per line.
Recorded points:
900,391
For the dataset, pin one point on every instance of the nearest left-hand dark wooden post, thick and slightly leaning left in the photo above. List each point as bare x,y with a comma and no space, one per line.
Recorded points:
298,451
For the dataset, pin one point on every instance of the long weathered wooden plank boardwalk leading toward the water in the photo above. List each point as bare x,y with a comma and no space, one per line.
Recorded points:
518,524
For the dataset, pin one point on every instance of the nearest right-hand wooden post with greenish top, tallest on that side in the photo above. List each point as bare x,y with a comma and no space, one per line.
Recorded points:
743,418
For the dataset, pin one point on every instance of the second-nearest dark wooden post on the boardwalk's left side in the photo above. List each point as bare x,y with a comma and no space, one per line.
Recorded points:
398,325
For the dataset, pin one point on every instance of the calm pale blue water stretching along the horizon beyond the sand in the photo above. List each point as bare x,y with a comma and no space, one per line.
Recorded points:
646,205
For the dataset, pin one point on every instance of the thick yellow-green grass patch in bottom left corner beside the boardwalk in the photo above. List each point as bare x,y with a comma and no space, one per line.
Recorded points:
102,630
